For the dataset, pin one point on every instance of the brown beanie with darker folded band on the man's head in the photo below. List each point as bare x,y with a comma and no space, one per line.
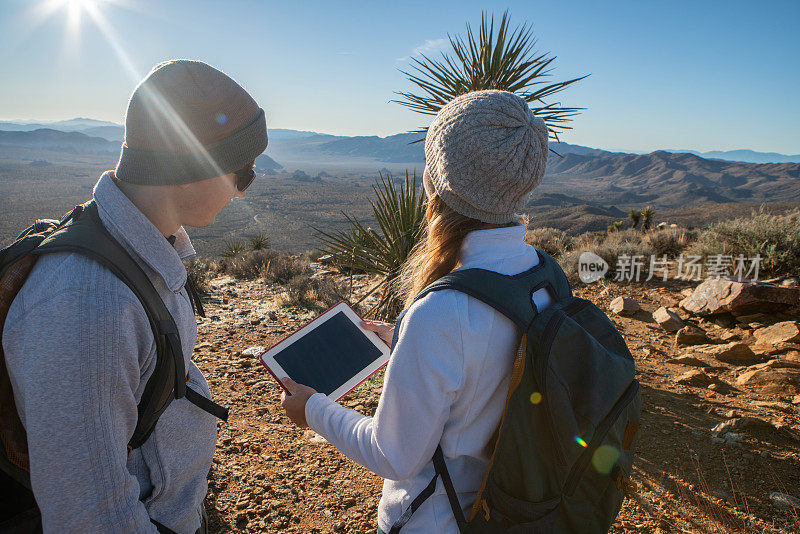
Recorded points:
186,121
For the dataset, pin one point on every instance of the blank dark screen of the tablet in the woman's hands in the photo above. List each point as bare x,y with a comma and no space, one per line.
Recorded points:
328,356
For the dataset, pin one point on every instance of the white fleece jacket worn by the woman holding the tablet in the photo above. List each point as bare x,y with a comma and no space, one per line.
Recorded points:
446,383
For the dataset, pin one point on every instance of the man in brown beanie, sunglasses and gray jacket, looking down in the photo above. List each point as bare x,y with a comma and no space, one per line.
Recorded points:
78,344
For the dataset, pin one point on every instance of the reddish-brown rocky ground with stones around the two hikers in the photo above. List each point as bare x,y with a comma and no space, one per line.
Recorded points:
718,449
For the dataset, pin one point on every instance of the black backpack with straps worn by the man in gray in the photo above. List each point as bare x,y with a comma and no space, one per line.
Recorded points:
81,231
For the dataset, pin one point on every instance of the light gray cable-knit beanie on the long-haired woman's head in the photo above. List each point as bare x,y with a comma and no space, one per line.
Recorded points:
484,153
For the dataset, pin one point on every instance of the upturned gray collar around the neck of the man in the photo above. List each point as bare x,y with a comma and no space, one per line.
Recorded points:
138,235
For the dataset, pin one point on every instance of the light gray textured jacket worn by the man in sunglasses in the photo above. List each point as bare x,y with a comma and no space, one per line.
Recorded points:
79,351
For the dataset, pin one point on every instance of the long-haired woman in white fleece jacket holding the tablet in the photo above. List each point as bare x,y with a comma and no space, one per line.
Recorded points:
450,366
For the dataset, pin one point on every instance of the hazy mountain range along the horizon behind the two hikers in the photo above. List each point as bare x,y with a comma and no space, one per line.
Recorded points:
575,176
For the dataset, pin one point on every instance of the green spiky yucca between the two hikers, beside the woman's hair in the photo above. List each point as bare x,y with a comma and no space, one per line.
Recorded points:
400,213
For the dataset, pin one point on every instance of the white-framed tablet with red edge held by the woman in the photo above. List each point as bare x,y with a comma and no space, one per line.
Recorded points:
332,354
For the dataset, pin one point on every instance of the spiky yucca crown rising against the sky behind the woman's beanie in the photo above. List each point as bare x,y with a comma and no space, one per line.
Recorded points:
504,60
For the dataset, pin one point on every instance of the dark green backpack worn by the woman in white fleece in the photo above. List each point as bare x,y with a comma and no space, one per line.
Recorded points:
564,448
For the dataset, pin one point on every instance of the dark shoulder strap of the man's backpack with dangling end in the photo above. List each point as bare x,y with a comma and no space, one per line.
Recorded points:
87,235
